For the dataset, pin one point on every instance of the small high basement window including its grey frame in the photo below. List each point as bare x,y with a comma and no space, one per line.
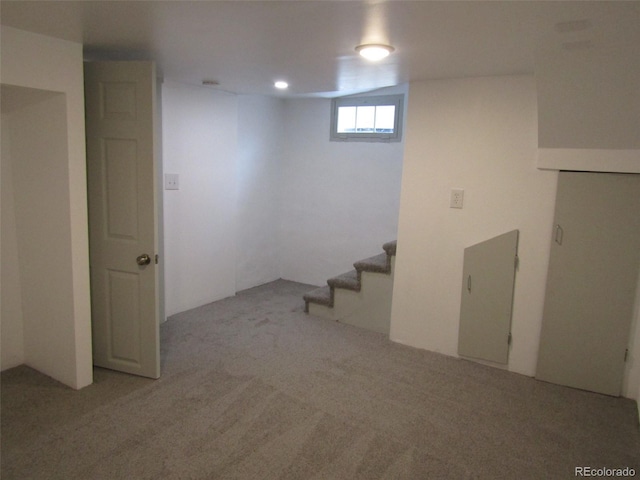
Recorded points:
367,119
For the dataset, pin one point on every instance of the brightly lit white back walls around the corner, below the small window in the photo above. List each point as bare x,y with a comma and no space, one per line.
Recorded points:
274,194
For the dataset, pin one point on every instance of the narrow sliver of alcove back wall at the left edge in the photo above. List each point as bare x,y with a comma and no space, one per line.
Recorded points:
12,330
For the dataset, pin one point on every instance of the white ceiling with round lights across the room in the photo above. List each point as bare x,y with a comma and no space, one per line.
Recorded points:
247,45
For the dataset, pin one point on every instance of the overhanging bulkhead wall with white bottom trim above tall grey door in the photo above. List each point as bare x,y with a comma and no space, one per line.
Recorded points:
588,78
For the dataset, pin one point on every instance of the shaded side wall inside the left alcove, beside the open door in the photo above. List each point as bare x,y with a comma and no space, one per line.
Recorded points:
41,198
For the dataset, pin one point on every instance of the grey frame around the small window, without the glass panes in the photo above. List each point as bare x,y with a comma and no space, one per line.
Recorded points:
396,100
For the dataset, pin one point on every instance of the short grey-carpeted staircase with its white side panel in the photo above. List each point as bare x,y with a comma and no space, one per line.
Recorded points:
360,297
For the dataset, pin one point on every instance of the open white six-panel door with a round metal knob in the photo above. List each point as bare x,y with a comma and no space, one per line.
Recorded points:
121,169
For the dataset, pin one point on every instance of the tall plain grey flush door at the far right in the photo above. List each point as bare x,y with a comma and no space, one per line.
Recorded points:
591,282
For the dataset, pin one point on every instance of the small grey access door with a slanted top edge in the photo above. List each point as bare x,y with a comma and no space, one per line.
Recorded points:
487,298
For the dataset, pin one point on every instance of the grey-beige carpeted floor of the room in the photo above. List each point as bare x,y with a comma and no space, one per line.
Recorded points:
252,388
